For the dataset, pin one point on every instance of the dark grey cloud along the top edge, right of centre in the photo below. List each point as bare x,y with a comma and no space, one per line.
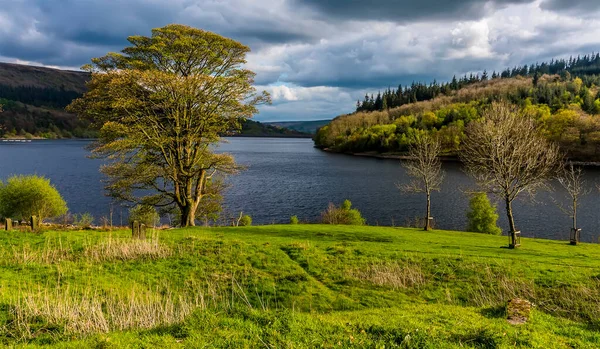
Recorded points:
407,10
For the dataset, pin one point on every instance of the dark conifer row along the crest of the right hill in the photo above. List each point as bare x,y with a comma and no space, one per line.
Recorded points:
586,67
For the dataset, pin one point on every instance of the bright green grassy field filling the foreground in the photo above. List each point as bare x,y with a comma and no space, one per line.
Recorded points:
294,286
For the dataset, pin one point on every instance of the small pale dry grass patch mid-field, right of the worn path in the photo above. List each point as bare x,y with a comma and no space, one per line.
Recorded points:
394,275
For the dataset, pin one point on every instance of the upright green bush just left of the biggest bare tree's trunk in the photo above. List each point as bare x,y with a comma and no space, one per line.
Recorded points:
482,215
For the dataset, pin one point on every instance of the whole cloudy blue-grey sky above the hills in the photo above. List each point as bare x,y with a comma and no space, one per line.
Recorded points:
316,57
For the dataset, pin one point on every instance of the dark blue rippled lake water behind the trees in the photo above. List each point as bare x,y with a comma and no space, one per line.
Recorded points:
286,177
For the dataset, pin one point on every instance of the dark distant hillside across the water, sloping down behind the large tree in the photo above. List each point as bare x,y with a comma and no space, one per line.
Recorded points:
33,101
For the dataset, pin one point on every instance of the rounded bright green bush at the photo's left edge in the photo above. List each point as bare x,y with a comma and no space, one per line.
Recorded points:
24,196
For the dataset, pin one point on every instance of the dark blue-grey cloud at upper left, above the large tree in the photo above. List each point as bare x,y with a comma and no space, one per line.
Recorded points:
46,30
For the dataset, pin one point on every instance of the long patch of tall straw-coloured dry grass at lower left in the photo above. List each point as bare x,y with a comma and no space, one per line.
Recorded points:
92,311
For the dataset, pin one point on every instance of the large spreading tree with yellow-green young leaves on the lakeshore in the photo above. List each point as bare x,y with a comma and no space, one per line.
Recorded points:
161,106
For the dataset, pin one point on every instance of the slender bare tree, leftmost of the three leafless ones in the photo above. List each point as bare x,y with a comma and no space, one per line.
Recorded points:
425,167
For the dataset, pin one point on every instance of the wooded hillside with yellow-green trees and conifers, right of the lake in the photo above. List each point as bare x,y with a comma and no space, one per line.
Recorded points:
562,95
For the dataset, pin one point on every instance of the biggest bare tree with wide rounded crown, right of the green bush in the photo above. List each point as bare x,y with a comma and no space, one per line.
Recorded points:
506,154
